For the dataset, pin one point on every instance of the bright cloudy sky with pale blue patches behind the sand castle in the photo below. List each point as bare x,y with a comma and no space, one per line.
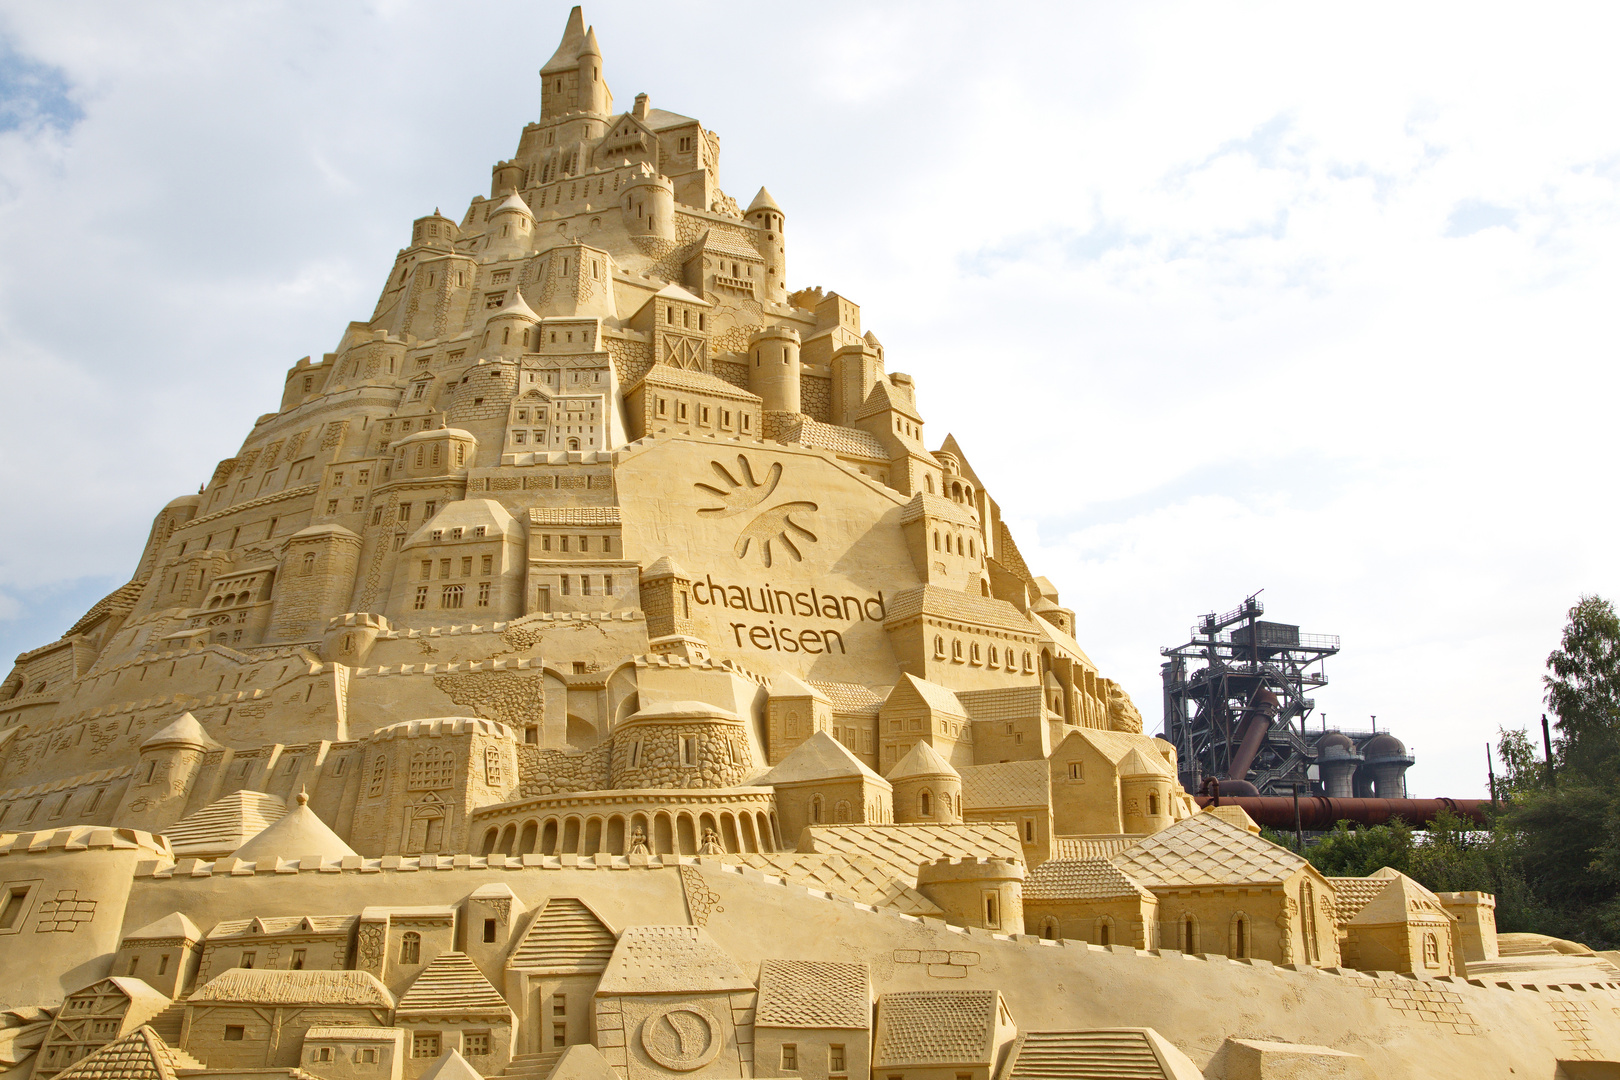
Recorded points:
1217,299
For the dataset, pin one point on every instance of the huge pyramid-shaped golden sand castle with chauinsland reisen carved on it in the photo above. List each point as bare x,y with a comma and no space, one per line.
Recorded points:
589,671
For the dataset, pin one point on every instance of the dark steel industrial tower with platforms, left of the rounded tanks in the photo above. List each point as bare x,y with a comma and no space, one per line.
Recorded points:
1235,700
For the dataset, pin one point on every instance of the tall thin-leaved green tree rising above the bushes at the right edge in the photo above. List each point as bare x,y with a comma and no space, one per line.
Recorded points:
1584,691
